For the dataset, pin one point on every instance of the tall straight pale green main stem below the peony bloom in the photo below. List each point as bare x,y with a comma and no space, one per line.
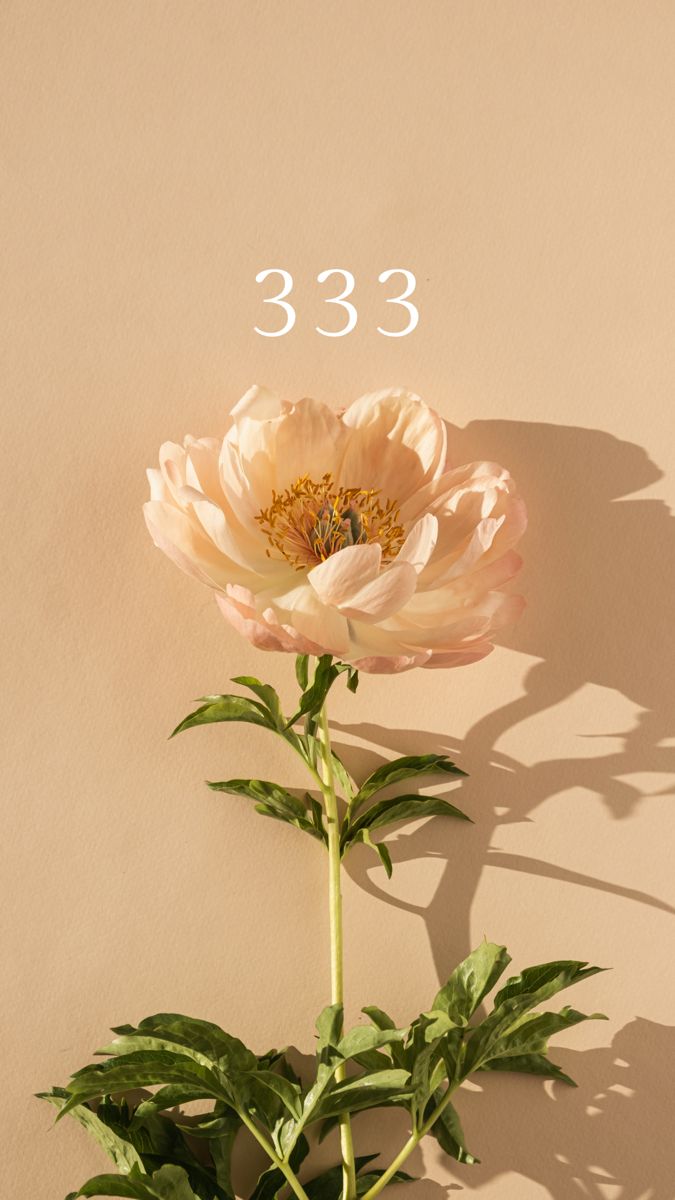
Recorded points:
336,910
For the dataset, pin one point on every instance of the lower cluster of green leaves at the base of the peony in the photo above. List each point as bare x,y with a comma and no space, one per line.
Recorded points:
419,1069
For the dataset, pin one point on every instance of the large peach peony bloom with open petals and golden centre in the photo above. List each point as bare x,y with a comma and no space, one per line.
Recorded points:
344,535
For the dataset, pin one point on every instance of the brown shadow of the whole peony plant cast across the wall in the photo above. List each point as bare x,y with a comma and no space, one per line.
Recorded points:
592,619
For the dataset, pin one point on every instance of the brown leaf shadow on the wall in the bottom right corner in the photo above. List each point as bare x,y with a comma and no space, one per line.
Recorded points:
608,1137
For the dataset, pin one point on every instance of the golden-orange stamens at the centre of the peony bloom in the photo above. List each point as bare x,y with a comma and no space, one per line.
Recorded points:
310,521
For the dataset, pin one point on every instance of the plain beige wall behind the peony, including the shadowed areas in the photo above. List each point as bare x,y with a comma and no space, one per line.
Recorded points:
519,159
